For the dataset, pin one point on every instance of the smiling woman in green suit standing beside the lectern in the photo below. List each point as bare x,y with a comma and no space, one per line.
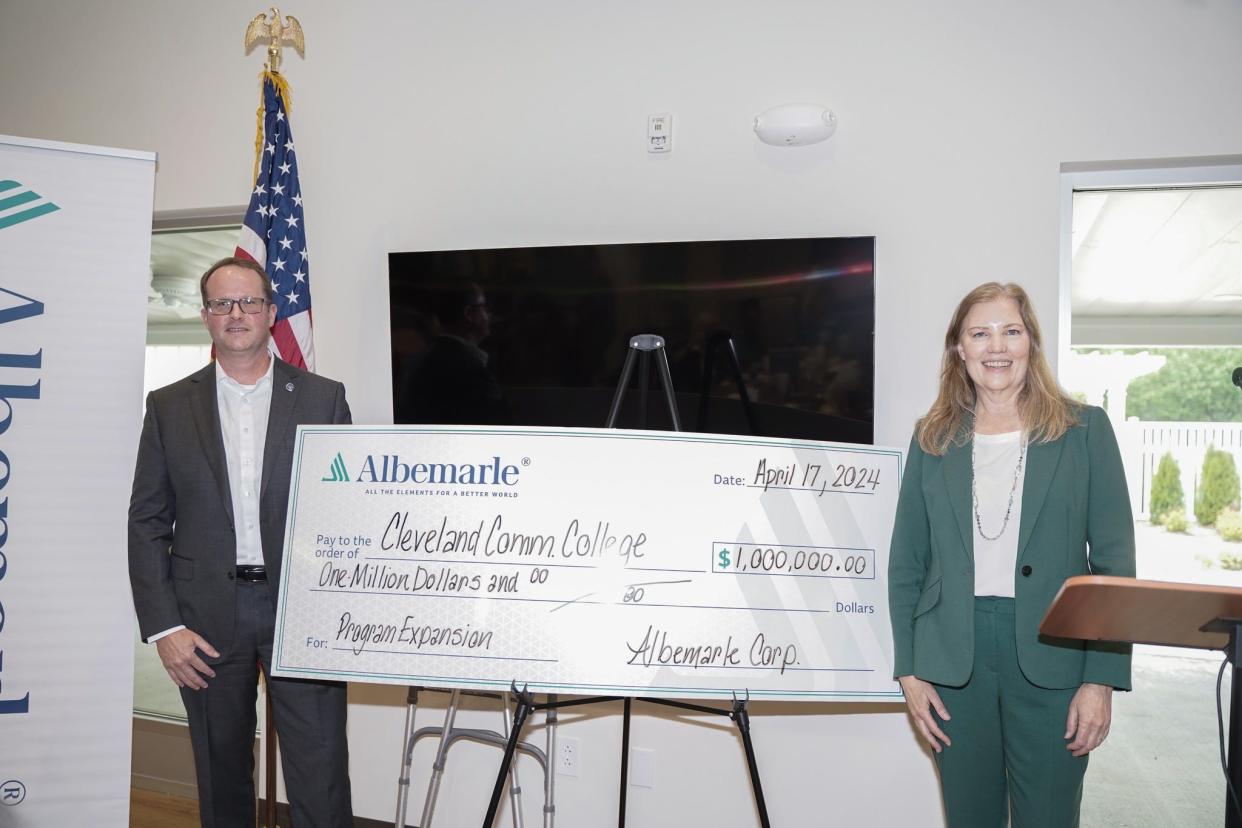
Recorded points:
1012,487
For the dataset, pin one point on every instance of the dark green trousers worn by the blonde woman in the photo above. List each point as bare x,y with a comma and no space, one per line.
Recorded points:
1009,755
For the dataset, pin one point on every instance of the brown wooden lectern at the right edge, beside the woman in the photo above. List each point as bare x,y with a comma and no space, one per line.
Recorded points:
1095,608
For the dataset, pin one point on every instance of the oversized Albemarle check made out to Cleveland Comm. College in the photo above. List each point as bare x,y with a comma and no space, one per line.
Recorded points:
589,562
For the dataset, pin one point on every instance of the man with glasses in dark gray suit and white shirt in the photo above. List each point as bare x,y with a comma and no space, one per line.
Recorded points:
207,533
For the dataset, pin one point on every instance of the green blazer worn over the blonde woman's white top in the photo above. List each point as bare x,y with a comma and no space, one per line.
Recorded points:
1076,521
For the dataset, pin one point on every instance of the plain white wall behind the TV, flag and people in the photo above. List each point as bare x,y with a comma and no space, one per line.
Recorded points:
443,125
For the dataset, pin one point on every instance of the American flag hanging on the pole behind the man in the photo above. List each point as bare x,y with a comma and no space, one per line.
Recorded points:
274,233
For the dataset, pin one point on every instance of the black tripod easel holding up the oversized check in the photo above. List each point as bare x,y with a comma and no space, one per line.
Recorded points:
645,348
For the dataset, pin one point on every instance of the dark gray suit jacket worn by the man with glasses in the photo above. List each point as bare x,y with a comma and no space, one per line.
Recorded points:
182,543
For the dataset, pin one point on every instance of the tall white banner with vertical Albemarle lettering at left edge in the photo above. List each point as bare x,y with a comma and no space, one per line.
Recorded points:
75,253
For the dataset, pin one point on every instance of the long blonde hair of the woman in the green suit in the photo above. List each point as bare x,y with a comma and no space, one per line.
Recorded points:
1048,412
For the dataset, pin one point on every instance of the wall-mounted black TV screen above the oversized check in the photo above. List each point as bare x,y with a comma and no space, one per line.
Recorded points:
538,336
